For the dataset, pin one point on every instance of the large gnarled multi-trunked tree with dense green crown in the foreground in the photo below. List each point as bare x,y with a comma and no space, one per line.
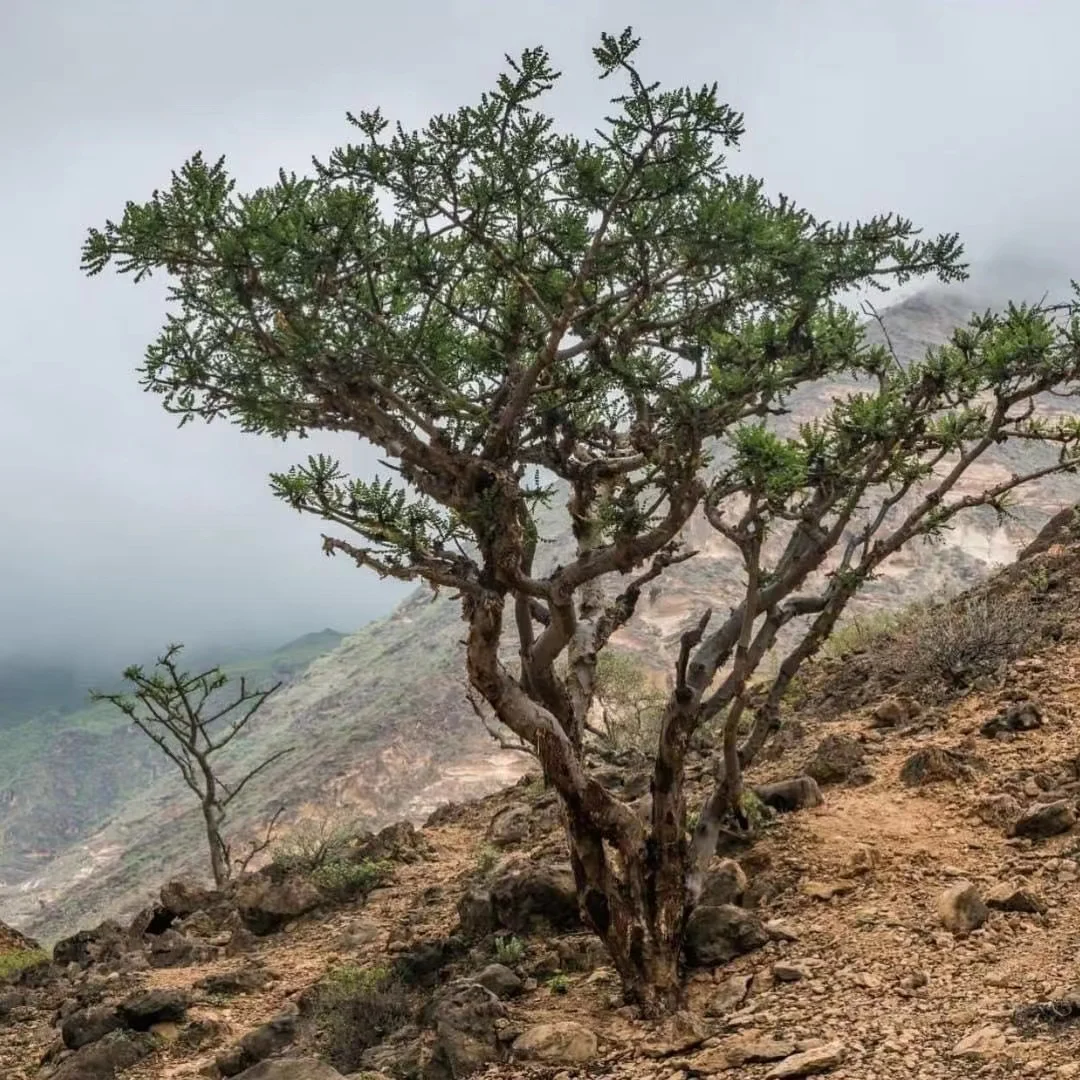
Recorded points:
509,314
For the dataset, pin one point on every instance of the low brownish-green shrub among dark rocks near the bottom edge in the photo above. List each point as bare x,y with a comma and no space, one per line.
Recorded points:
356,1009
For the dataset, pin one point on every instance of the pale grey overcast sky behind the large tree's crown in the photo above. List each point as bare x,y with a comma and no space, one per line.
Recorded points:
120,533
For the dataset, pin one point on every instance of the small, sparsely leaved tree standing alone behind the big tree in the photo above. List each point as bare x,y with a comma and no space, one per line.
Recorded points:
184,714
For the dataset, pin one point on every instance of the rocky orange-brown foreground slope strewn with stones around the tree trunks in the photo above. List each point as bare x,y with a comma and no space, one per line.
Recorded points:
921,923
